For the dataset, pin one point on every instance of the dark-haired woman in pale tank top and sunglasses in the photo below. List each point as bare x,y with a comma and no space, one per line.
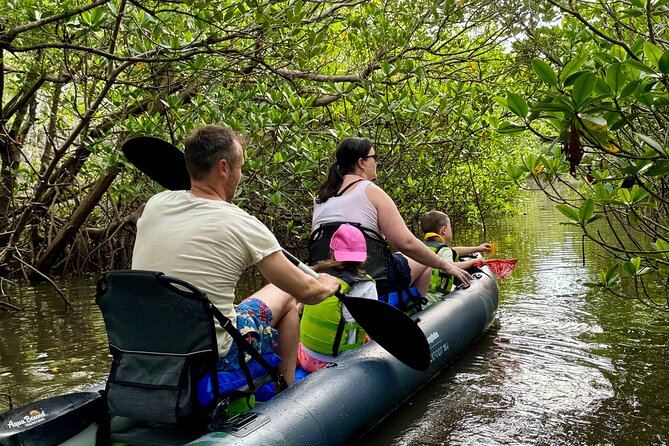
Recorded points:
348,195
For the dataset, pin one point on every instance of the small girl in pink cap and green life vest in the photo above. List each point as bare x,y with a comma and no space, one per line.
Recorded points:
327,329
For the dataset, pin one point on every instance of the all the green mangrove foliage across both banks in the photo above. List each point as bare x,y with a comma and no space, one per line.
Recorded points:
458,96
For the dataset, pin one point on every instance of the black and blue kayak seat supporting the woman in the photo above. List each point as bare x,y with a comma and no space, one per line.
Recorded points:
380,260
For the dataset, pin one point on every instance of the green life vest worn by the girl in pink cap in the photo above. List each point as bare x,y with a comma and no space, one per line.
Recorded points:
323,326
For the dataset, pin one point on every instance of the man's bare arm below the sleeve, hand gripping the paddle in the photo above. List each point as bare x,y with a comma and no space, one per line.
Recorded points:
278,270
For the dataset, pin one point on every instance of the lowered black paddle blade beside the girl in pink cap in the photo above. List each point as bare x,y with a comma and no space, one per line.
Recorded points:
393,330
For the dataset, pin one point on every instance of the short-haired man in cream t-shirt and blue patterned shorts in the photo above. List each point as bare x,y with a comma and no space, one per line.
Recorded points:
198,236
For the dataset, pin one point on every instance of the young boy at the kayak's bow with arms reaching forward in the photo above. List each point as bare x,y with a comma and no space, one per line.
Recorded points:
438,234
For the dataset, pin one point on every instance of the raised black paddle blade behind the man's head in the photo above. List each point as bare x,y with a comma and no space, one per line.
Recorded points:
159,160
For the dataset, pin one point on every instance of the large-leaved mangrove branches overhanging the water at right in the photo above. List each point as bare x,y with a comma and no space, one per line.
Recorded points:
599,100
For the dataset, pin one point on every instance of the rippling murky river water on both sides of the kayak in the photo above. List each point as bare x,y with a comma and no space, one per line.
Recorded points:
562,365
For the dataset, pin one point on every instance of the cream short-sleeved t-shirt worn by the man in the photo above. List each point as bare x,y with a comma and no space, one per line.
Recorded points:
206,242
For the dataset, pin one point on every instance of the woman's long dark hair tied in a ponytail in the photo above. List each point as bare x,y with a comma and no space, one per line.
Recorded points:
349,151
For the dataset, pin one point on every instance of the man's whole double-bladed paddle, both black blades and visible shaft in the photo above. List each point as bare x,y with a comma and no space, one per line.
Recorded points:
393,330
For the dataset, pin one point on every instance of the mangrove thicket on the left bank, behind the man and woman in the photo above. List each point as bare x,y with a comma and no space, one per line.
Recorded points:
78,78
